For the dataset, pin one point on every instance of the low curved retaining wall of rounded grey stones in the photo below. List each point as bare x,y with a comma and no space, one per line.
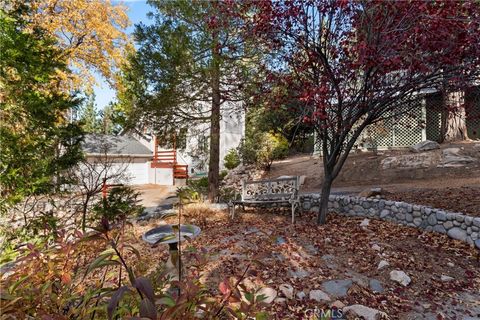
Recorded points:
456,225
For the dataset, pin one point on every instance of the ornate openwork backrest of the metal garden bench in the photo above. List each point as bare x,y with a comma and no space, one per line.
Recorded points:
274,189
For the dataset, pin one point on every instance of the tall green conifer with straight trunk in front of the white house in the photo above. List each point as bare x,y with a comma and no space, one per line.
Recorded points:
191,66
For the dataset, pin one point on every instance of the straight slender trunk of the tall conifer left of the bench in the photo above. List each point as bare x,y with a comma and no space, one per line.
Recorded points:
214,160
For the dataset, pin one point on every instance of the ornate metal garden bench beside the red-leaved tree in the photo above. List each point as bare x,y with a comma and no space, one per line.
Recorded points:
265,193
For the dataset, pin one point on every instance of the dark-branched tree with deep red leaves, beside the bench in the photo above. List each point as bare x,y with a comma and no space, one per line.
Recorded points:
352,64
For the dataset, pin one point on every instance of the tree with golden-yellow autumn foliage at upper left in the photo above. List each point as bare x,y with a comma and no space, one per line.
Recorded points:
90,34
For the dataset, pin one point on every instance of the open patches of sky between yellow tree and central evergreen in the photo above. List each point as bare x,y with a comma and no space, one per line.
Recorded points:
137,12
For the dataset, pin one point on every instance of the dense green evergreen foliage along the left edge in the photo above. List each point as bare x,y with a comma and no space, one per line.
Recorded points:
36,140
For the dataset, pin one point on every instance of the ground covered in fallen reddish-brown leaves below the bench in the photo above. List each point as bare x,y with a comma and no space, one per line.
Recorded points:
305,255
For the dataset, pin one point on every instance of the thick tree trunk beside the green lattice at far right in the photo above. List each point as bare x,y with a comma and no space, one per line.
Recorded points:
454,127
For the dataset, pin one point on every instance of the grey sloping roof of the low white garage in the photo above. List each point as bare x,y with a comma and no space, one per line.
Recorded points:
100,144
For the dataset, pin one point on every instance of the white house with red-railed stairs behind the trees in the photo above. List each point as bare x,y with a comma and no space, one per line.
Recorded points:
146,162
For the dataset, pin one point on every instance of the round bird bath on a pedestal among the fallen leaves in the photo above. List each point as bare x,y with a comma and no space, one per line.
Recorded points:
172,234
